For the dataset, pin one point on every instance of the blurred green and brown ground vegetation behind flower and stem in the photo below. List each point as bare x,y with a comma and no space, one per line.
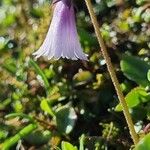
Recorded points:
44,103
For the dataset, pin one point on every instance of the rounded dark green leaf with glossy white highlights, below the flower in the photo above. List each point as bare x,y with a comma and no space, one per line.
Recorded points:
65,119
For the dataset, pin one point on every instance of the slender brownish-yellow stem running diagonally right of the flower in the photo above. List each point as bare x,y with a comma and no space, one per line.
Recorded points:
111,70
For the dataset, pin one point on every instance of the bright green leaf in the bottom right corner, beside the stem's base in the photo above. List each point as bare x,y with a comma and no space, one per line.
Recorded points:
144,144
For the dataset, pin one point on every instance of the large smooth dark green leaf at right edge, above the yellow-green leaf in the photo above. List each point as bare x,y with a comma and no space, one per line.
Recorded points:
135,69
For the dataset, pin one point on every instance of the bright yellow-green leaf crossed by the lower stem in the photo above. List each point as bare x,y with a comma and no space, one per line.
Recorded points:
134,98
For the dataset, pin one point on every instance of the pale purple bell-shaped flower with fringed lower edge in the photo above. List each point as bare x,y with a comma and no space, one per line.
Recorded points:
62,38
